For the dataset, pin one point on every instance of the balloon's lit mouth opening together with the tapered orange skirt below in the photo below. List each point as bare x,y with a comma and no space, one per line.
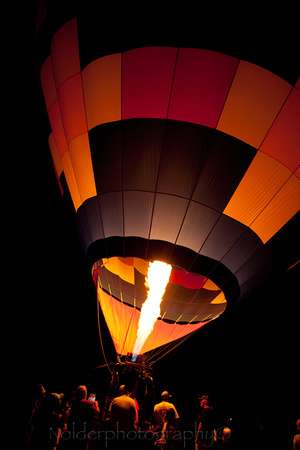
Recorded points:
187,302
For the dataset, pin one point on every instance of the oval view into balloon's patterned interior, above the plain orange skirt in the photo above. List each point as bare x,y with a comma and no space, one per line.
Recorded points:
189,297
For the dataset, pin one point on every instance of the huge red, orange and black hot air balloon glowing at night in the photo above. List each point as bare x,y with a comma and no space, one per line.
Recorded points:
182,155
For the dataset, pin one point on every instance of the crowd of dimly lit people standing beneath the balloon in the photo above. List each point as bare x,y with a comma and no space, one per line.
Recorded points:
76,422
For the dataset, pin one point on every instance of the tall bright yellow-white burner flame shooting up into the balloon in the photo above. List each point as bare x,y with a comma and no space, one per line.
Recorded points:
156,282
